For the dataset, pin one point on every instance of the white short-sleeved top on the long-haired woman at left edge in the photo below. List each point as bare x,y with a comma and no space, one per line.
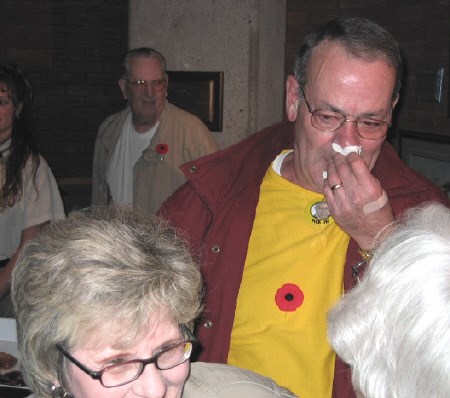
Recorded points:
33,208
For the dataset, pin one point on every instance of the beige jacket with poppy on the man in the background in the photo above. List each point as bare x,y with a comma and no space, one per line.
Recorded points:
155,175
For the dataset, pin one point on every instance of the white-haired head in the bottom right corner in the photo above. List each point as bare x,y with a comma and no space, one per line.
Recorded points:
393,328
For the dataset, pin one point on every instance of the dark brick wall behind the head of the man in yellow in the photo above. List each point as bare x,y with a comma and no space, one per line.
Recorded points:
422,29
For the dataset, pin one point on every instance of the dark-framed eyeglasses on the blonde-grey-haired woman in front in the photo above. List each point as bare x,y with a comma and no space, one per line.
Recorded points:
125,372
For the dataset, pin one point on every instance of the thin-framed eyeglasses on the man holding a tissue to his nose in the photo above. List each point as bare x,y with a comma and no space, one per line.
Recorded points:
329,121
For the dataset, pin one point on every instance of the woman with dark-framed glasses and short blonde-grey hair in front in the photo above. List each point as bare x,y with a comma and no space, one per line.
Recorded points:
105,303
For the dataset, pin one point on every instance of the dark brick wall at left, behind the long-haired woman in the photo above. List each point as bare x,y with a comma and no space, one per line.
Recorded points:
71,52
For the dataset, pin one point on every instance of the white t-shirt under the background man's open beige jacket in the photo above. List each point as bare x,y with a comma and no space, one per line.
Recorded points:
128,149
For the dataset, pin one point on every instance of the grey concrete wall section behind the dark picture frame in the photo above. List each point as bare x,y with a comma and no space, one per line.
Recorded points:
242,38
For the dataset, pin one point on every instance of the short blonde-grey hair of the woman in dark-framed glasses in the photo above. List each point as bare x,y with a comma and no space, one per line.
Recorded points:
98,273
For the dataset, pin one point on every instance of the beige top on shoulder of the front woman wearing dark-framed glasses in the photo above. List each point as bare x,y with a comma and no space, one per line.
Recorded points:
209,380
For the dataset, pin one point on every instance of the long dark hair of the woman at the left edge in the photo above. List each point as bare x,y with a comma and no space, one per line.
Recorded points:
22,146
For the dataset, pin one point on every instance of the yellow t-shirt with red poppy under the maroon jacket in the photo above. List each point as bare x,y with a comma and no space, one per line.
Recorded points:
293,274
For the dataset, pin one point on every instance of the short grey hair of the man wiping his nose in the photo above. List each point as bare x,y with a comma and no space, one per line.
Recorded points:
362,38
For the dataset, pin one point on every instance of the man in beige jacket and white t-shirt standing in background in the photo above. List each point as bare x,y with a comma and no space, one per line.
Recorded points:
138,151
